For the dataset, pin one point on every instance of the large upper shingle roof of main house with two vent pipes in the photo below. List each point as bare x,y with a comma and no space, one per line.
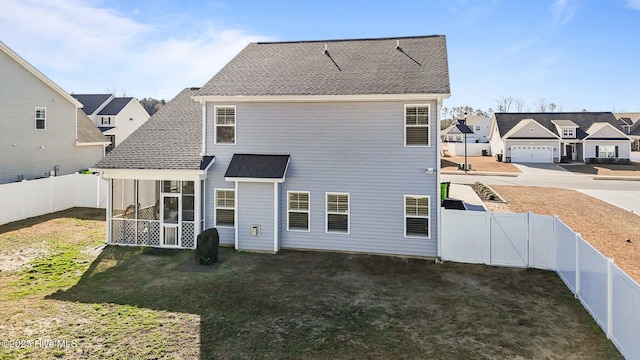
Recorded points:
348,67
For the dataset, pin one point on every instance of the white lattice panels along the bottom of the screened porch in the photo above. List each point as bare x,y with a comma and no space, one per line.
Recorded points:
147,233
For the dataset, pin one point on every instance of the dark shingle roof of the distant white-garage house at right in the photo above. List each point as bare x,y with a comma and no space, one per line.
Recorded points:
506,121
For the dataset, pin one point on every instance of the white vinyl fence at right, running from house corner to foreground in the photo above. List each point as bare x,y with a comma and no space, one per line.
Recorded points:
545,242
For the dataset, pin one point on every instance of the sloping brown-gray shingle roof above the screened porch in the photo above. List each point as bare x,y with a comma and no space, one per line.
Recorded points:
170,139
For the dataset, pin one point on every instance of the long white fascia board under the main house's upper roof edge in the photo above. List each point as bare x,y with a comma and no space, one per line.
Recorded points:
319,98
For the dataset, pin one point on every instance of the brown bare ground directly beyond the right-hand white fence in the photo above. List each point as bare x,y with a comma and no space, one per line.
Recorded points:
604,226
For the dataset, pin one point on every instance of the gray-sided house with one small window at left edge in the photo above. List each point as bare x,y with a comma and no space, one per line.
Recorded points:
44,131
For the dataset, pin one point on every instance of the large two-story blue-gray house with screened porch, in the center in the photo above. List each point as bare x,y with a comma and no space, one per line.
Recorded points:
328,145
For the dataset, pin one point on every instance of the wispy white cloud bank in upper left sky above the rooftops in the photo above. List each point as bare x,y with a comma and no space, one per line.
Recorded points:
86,49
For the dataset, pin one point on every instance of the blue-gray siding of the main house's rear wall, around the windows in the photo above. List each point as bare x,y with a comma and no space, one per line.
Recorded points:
355,148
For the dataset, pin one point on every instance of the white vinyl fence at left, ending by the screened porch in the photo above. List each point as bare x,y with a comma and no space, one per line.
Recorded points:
21,200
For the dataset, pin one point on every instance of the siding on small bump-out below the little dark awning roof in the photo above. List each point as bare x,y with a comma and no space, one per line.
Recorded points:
255,207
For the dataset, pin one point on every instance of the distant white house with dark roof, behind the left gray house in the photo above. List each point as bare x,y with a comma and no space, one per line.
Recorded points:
116,117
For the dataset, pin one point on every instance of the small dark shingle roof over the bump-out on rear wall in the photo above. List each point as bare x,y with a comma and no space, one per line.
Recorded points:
257,166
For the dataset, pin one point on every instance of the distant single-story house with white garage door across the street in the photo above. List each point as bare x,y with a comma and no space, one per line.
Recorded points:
555,137
